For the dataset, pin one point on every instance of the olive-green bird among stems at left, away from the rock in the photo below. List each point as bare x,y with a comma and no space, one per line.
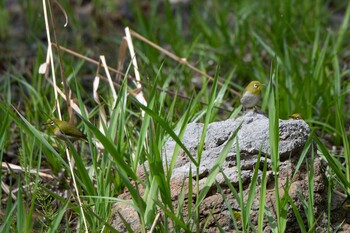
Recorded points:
65,130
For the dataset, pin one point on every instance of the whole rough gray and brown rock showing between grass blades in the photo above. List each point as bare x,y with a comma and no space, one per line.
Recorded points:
253,136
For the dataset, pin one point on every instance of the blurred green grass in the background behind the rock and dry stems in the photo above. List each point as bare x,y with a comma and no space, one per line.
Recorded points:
244,38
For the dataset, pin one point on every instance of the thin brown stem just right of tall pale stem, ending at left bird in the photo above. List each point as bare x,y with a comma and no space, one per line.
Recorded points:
67,91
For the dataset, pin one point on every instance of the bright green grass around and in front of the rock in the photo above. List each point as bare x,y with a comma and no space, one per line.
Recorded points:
293,48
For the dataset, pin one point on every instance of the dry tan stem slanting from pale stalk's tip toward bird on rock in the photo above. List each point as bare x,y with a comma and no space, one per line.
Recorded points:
180,60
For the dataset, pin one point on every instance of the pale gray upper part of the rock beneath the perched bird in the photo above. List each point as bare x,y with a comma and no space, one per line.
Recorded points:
253,136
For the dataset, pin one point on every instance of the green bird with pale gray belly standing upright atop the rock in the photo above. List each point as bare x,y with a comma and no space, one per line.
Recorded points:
251,95
